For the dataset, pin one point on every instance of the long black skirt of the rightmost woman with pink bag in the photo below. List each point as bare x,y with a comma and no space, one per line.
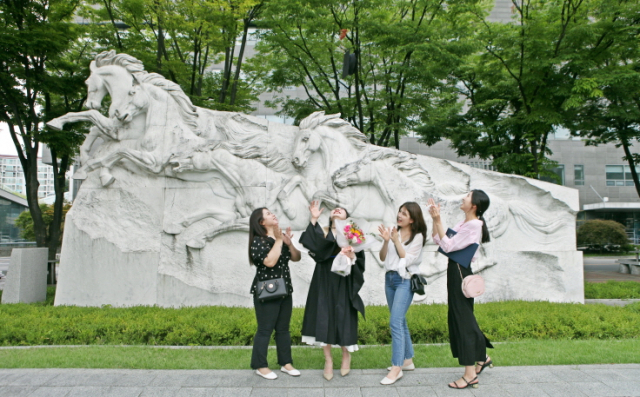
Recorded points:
468,343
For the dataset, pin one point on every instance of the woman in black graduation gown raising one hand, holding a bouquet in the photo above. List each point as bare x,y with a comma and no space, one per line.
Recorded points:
333,303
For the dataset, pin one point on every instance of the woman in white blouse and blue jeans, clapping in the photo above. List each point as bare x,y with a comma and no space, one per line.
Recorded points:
401,258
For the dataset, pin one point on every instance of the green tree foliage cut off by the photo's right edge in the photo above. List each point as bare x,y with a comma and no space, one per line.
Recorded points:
606,102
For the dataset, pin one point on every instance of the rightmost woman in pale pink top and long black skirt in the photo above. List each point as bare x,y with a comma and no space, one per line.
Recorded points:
468,343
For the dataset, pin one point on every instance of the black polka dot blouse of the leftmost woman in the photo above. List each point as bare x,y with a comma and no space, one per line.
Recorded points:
260,248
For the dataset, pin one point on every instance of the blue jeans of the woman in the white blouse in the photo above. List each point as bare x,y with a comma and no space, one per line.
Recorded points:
399,297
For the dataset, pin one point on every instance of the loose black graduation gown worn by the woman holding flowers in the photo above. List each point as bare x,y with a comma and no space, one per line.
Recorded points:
333,303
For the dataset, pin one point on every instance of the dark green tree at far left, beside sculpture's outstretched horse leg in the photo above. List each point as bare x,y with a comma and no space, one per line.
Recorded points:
37,82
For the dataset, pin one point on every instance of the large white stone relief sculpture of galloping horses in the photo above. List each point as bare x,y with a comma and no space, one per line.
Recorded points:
168,188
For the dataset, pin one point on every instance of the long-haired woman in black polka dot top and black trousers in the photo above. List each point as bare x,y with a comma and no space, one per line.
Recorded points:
270,251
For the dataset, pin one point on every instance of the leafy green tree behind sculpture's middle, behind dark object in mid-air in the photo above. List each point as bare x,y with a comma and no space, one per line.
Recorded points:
404,52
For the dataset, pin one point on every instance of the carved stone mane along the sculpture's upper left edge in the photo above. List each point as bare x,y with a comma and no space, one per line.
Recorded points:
134,66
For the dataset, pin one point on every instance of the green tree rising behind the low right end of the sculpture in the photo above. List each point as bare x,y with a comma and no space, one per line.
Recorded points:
517,82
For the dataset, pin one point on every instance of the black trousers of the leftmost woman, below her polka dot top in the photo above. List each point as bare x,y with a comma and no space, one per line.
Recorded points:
272,315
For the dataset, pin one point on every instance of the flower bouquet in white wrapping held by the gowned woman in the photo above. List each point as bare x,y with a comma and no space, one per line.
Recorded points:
350,233
